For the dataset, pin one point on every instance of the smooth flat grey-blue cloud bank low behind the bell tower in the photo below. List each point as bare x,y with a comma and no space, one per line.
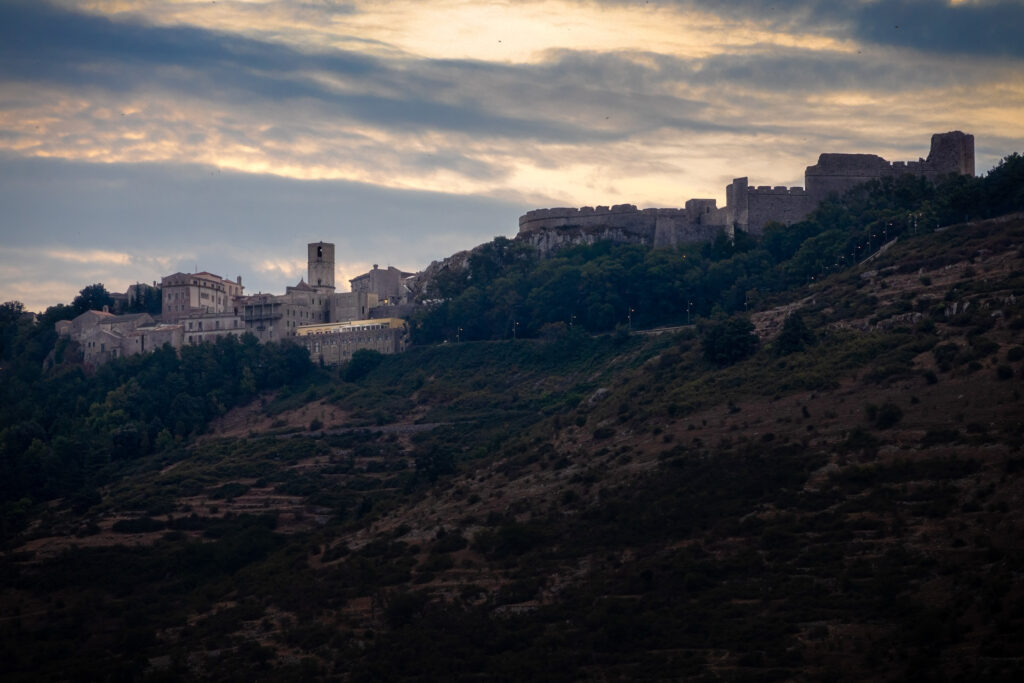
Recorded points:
75,224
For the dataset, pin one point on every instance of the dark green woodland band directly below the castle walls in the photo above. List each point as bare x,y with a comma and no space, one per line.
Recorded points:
507,291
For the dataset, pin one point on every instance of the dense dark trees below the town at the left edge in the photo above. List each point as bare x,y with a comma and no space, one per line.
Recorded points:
63,433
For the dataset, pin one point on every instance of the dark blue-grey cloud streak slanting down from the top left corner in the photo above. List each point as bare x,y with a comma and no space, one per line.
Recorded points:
44,44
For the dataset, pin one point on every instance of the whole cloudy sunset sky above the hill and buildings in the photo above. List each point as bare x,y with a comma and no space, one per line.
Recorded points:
144,138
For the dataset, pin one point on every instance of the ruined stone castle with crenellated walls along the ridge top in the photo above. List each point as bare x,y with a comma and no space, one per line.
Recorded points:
748,208
